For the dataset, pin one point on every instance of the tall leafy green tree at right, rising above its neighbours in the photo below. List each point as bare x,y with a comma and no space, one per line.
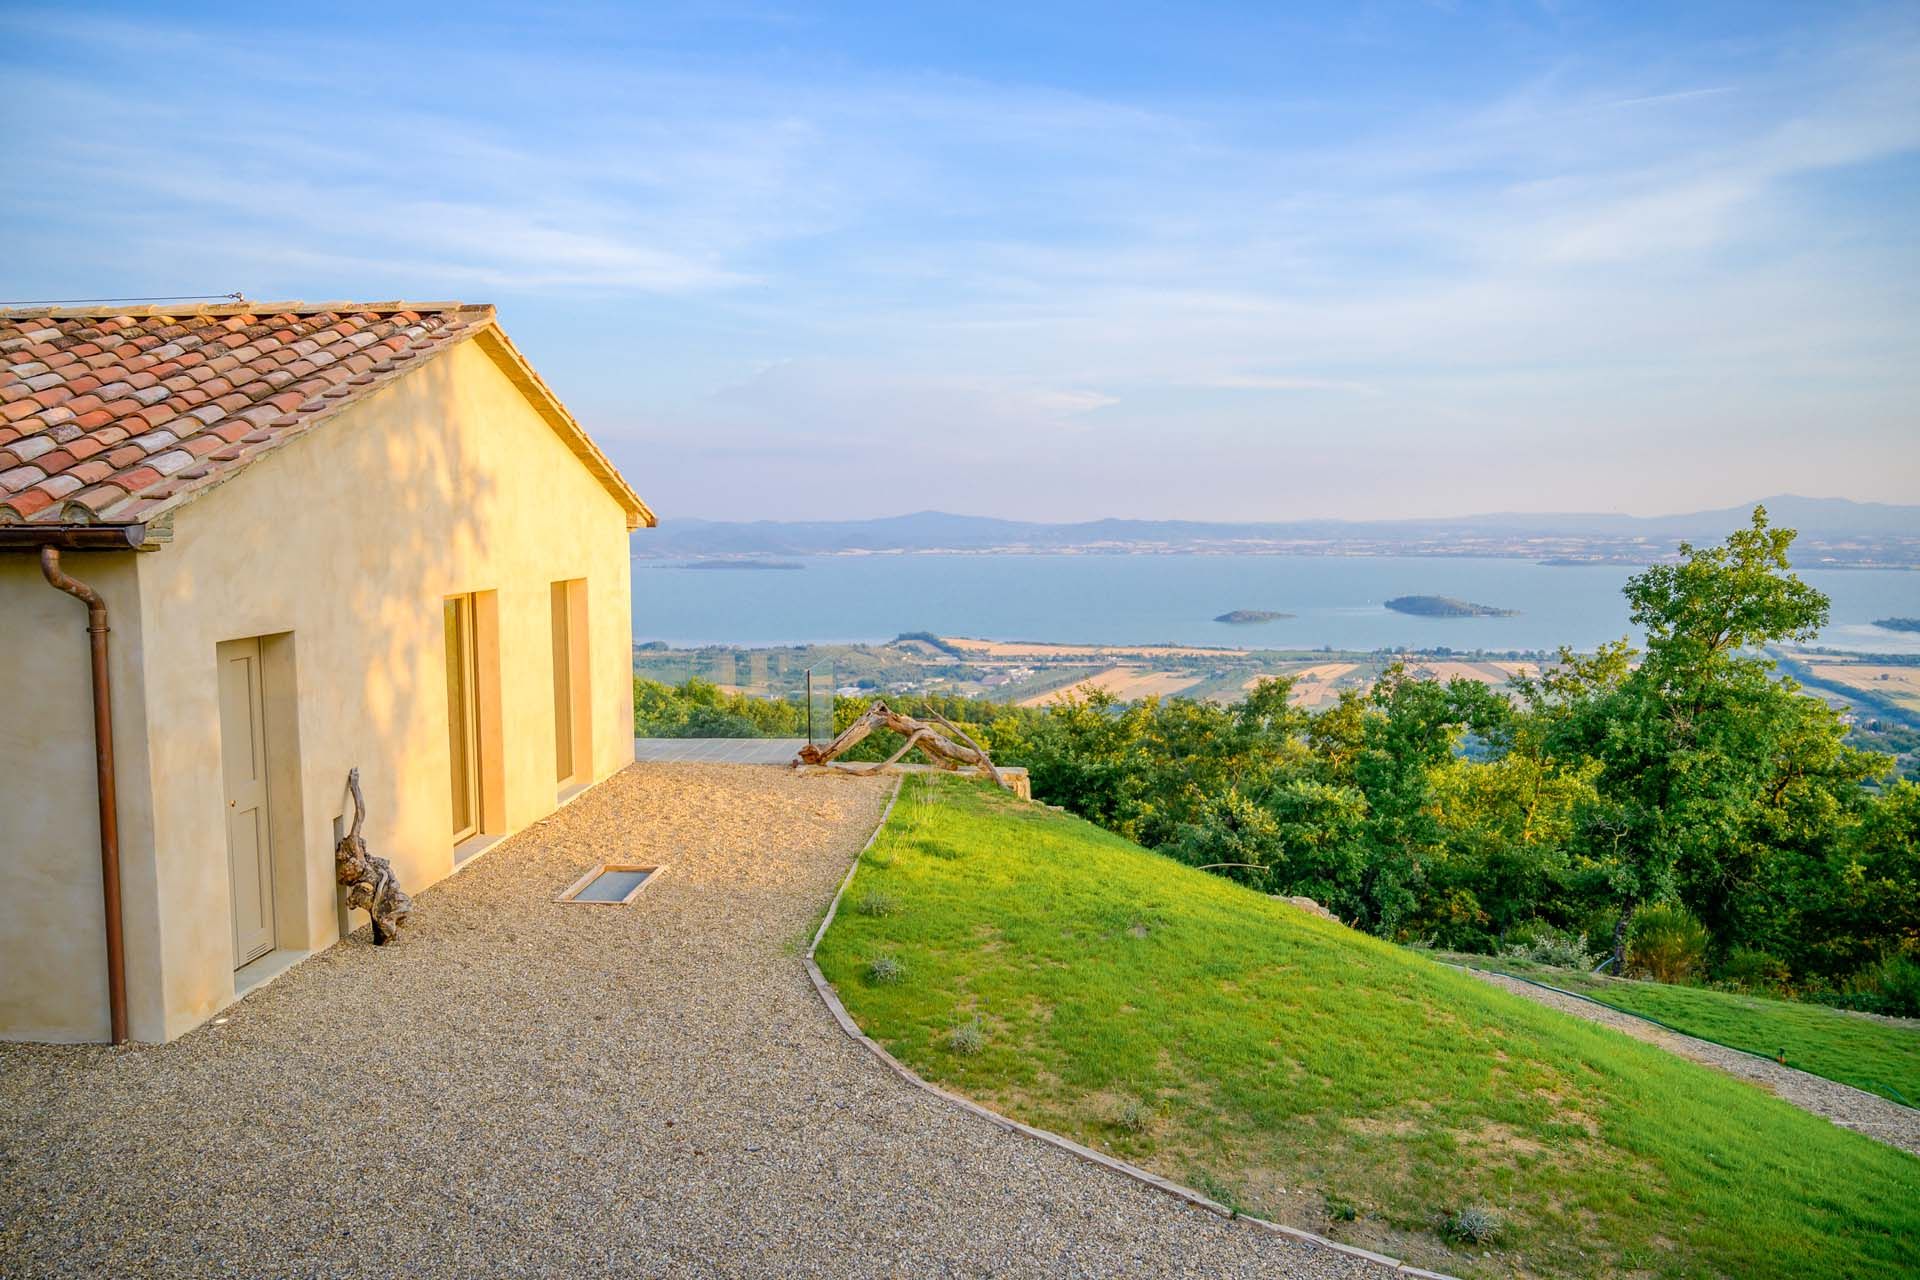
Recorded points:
1700,740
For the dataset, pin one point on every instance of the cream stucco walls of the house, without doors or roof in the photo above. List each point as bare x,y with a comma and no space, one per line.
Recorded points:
341,548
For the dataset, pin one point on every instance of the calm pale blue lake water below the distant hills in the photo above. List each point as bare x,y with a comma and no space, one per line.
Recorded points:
1122,600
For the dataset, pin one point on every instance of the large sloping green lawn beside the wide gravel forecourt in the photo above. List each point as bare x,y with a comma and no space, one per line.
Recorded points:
1320,1078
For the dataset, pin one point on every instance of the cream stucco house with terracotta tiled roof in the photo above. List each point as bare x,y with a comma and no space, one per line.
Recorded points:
291,540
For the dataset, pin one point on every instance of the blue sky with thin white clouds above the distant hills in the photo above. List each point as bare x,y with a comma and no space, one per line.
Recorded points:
1055,260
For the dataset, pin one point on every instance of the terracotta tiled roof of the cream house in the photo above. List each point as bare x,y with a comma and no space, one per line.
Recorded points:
122,417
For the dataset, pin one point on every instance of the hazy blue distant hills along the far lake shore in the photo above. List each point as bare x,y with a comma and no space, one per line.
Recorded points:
1831,531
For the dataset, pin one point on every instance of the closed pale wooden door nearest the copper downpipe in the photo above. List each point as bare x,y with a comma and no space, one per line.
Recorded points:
245,770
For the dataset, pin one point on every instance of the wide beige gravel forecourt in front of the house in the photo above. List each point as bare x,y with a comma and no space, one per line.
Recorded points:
531,1089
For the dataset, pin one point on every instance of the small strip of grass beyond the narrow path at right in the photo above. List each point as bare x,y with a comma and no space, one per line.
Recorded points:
1883,1058
